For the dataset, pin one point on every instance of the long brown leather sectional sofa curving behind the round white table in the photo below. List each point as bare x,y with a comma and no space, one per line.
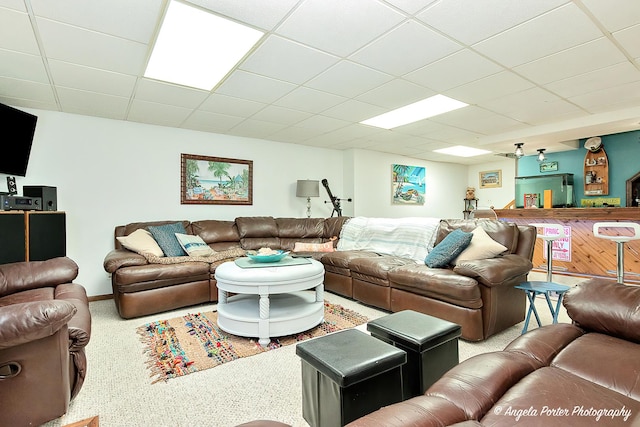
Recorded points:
478,295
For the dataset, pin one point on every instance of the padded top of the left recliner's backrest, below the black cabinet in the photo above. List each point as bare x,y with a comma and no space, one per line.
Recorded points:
22,276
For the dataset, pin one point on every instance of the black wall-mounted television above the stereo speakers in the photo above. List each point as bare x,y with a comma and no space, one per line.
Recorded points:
16,138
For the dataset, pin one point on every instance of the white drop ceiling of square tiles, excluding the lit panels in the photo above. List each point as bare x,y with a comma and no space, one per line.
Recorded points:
542,72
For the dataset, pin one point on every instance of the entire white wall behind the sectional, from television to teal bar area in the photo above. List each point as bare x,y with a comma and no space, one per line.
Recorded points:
110,172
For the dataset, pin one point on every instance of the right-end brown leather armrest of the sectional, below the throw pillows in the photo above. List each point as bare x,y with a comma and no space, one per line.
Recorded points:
495,271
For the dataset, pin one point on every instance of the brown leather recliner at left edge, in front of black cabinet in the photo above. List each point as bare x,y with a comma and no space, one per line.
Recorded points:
45,325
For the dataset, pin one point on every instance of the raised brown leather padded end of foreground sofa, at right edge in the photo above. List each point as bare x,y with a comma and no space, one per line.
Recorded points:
602,305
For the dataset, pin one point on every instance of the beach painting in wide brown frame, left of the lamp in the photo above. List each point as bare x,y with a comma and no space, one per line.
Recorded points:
215,180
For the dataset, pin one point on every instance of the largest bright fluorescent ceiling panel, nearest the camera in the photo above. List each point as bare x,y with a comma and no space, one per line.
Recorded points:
196,48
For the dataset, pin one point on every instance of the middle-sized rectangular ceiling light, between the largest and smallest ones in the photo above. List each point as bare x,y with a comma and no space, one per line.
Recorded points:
420,110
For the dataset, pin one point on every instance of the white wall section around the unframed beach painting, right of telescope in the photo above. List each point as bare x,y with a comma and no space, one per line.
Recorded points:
446,184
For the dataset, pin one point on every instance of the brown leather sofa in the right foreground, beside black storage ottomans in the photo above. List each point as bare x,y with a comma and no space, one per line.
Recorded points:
579,374
